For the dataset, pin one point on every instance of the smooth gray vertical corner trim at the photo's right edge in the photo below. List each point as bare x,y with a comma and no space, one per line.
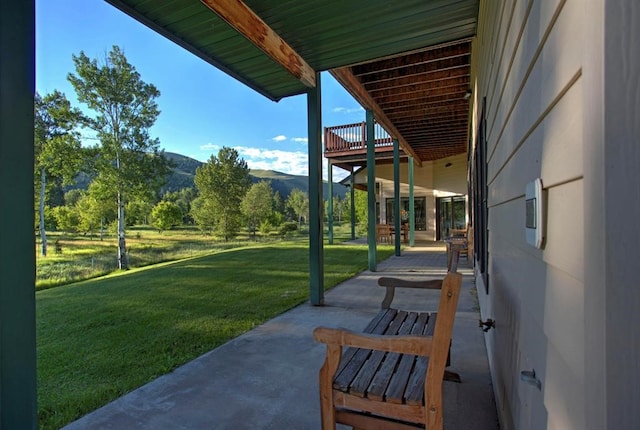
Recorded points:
621,202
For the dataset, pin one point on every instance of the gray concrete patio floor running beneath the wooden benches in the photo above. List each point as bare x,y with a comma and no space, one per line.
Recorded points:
268,377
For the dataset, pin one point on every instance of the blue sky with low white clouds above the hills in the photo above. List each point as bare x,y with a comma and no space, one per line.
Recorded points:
202,108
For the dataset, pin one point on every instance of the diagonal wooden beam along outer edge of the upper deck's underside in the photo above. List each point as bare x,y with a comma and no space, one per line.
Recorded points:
344,76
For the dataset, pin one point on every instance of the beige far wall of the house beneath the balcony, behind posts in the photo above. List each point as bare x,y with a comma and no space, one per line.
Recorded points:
433,179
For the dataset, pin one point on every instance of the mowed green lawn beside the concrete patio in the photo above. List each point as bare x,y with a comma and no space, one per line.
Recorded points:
101,338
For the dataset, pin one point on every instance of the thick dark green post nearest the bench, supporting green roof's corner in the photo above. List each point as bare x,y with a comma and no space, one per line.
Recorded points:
316,252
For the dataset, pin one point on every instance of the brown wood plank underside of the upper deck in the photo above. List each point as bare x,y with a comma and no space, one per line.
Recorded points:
422,94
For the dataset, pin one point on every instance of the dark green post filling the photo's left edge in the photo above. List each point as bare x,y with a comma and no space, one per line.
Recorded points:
18,408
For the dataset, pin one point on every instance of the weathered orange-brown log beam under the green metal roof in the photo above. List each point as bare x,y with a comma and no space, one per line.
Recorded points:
239,16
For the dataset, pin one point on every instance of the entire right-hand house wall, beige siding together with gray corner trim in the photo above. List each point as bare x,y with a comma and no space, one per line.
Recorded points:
561,81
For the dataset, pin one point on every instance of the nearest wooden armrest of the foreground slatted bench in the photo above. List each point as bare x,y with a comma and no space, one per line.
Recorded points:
402,344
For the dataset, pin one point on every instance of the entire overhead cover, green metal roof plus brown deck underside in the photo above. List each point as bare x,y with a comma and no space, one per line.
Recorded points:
406,61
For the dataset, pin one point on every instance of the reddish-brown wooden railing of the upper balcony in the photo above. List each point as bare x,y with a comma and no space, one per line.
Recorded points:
352,138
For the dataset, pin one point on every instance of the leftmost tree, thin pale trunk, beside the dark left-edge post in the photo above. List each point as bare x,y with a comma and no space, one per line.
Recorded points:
57,147
